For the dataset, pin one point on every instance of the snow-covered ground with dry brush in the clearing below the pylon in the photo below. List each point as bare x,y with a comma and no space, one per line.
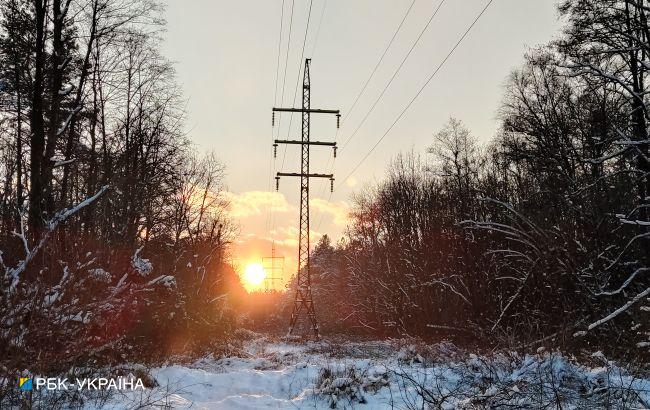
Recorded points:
390,374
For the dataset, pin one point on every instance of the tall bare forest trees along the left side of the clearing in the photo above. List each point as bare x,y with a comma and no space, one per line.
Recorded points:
112,228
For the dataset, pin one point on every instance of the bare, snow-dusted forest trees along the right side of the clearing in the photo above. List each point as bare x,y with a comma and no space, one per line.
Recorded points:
540,237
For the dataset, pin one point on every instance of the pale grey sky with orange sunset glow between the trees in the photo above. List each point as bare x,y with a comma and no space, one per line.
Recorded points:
226,58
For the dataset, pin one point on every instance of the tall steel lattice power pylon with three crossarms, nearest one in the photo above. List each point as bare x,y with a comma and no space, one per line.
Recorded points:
303,298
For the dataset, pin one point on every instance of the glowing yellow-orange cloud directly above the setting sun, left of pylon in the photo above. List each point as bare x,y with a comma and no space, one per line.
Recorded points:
251,203
